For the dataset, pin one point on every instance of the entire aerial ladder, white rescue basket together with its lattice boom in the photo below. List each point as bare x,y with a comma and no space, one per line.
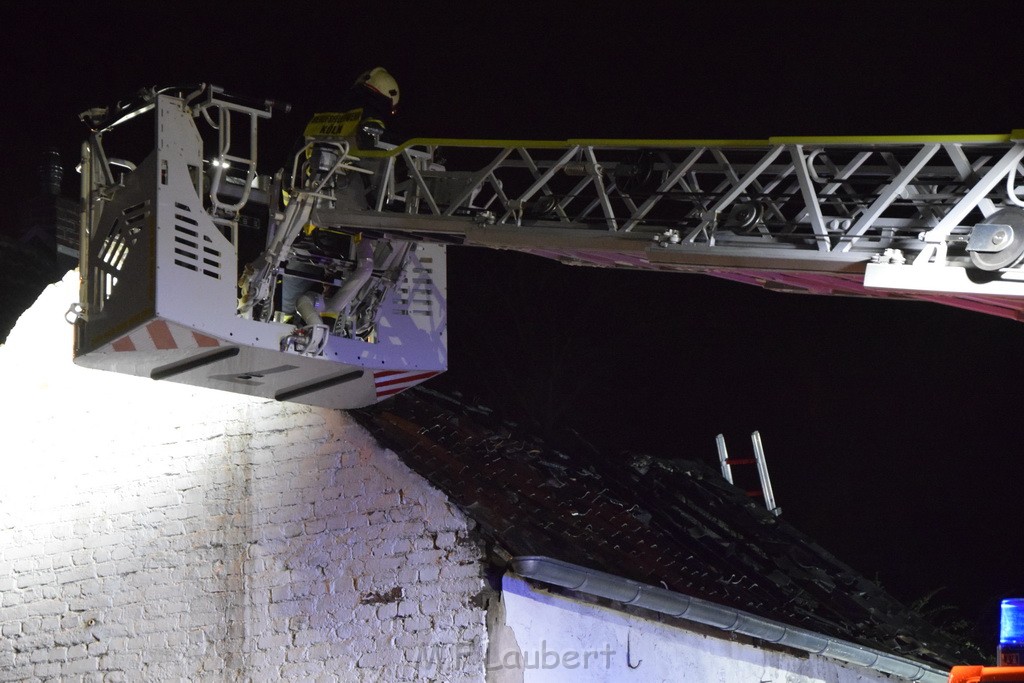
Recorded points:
325,282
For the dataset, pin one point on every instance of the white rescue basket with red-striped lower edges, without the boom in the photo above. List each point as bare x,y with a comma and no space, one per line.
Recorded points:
160,266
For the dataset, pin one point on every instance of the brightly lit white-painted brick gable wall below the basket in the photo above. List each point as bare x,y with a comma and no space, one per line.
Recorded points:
153,532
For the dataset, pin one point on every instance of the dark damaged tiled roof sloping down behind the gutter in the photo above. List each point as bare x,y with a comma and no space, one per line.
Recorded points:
675,524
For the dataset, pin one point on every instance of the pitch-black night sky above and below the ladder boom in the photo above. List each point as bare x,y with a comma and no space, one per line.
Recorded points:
891,430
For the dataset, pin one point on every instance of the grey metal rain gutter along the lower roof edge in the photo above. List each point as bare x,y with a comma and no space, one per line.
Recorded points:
667,603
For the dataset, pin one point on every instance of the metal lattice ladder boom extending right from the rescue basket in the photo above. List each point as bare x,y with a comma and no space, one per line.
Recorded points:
938,219
